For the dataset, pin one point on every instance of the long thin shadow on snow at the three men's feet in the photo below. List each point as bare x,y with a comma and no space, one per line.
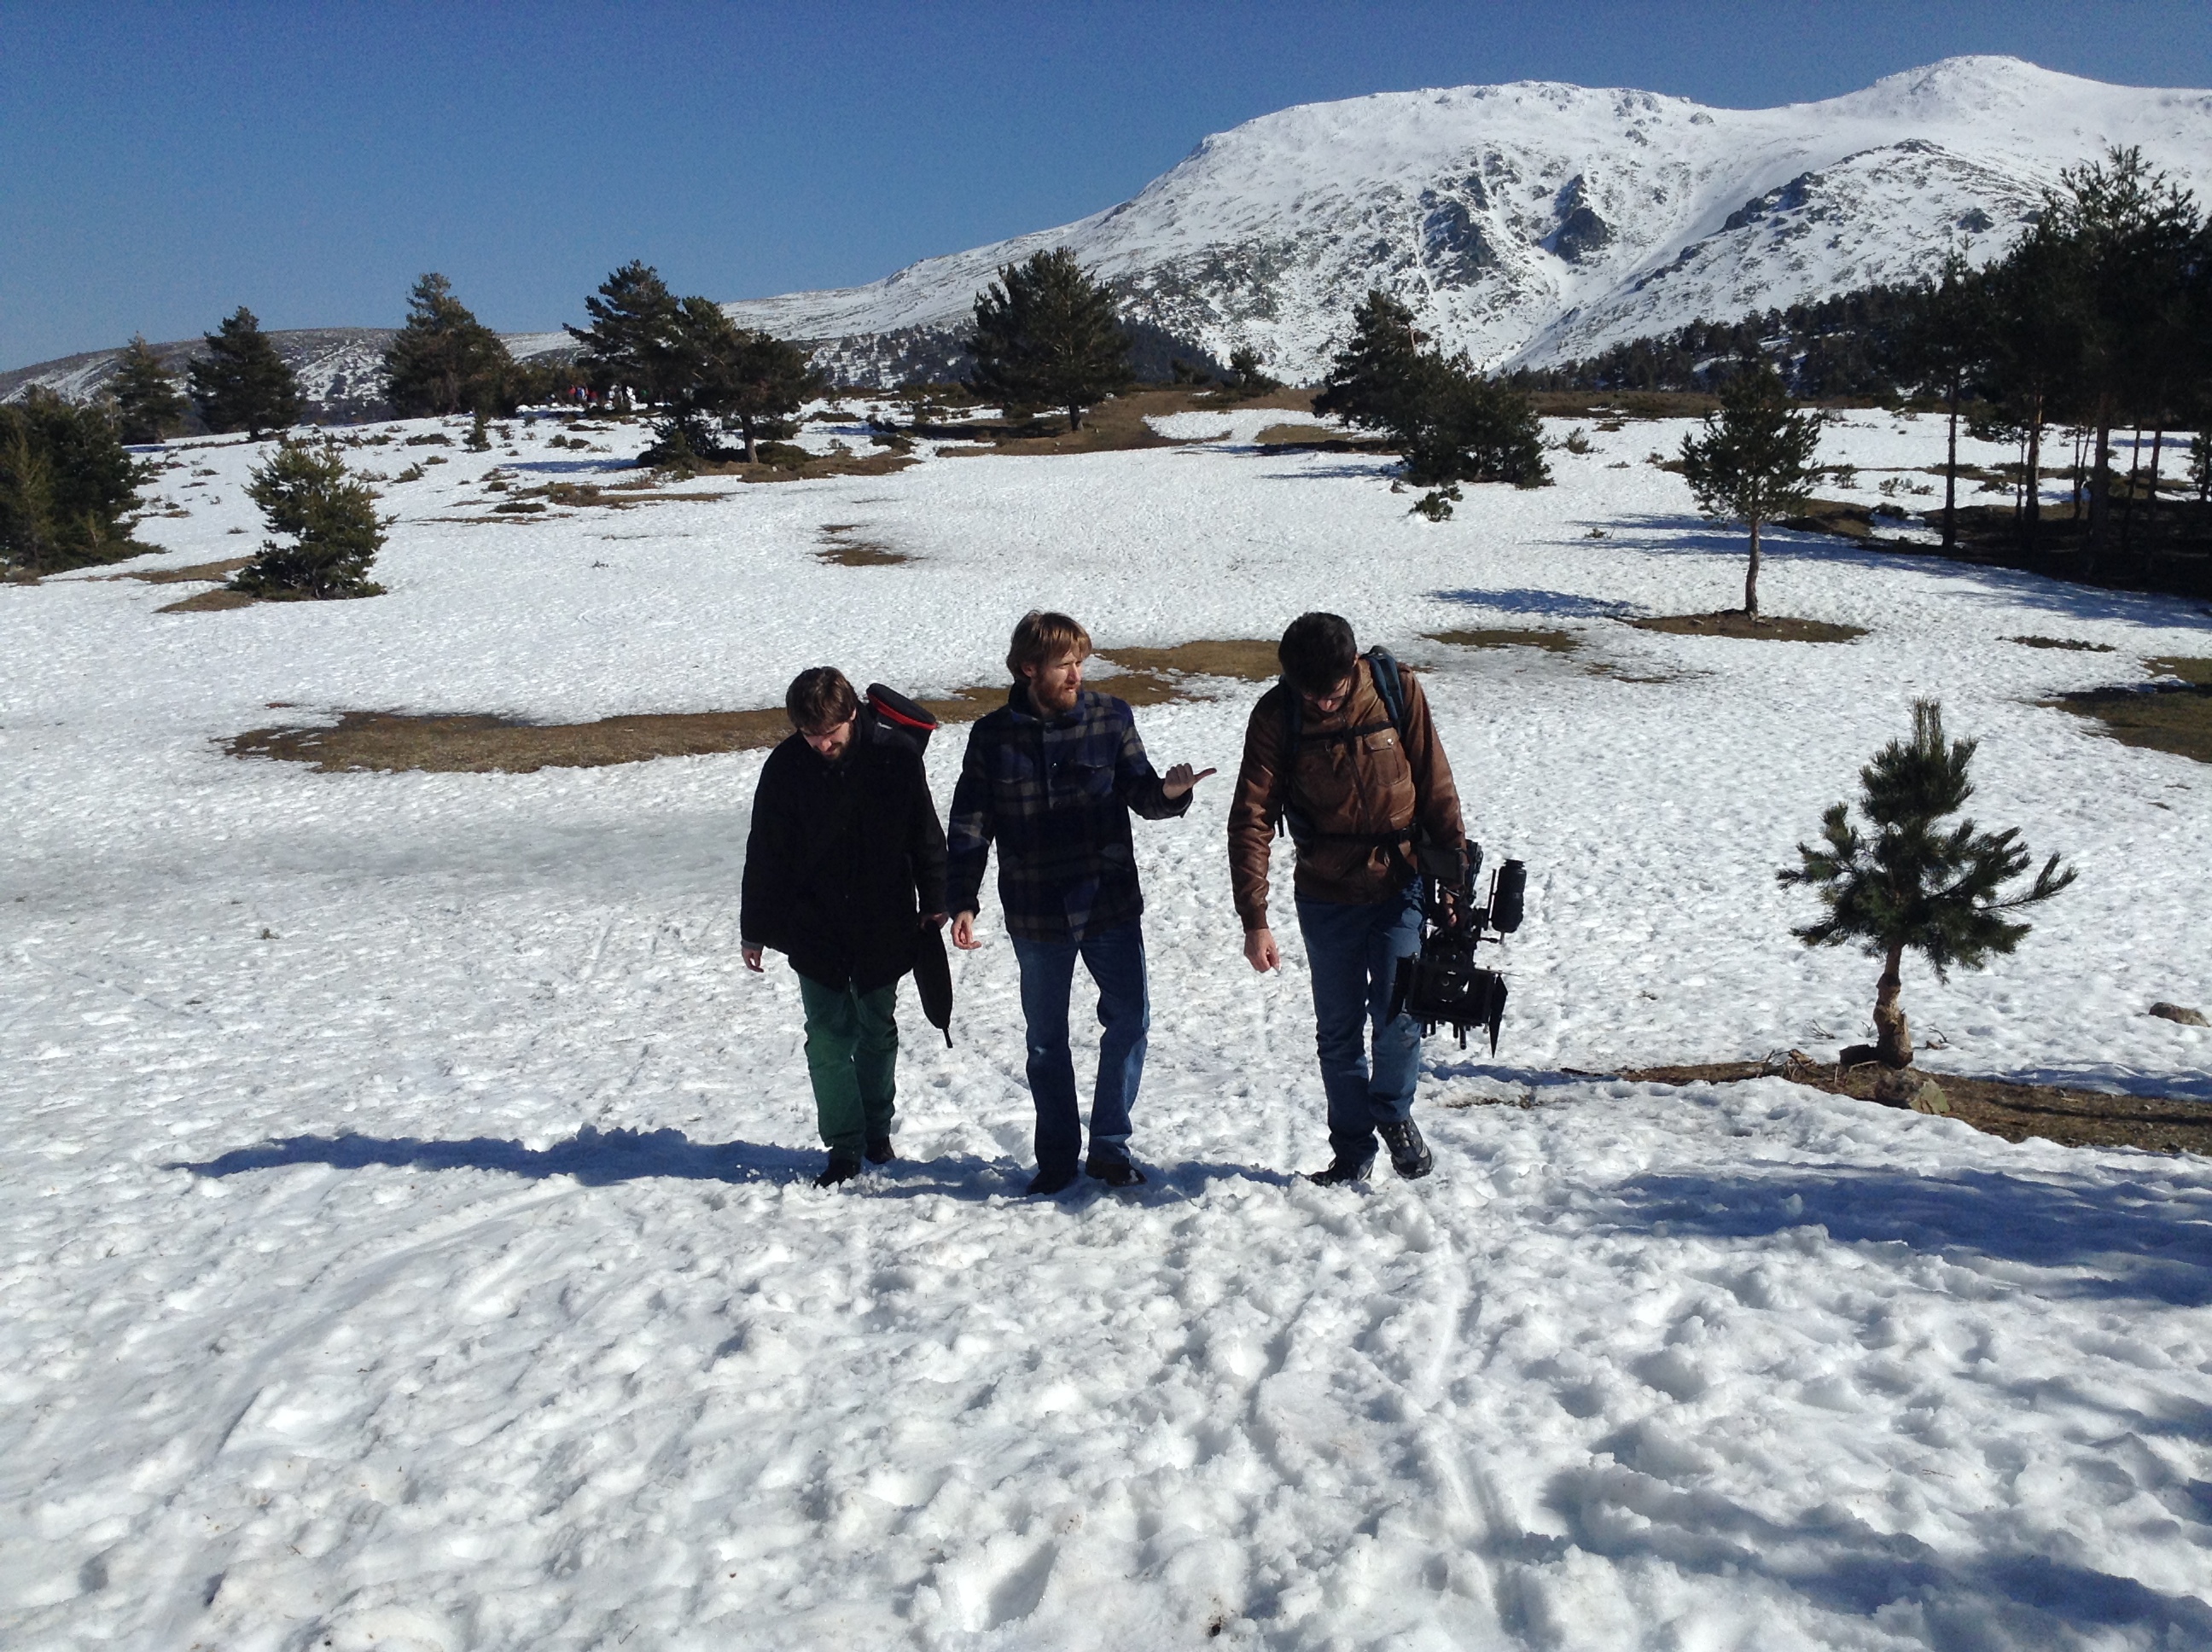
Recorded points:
601,1158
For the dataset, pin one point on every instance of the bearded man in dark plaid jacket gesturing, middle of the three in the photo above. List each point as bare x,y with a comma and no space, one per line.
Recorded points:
1054,775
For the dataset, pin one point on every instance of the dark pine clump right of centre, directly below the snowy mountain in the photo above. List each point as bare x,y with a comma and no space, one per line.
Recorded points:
1452,424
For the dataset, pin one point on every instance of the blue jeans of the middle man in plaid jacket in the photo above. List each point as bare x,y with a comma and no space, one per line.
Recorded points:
1116,963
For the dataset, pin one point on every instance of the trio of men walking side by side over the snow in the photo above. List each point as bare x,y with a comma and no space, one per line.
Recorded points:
848,875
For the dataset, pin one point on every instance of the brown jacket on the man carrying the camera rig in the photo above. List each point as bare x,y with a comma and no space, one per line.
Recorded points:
1355,780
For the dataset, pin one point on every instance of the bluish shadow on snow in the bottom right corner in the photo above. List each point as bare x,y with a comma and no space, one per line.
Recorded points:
1841,1565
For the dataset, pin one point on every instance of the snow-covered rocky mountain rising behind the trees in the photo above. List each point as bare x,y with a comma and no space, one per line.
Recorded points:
1536,220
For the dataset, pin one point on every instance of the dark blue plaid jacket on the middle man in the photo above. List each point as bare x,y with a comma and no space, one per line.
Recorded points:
1056,793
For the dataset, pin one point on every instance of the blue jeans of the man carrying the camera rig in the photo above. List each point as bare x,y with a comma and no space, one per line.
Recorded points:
1355,959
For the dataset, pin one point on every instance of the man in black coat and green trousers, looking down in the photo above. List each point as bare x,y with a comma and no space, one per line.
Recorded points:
844,866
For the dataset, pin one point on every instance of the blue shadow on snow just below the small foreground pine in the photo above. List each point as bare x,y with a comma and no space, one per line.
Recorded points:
2136,1242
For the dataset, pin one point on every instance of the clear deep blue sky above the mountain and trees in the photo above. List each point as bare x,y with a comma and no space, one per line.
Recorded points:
169,163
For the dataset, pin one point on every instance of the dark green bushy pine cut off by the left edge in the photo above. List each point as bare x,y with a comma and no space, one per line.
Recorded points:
65,485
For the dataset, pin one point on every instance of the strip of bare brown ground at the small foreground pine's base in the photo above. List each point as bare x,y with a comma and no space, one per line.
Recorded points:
2003,1109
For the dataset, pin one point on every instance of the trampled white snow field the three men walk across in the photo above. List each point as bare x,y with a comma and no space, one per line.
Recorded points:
406,1217
